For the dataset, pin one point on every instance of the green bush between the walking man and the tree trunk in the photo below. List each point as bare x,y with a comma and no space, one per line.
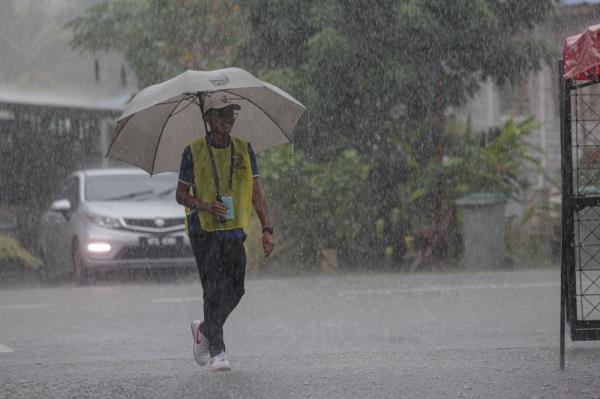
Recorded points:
316,205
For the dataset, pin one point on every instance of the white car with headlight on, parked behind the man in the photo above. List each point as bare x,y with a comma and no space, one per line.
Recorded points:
111,219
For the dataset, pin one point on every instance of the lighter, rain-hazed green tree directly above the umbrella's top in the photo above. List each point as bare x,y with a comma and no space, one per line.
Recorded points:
160,38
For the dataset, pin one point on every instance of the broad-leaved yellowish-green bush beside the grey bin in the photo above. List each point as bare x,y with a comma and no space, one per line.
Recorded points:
469,165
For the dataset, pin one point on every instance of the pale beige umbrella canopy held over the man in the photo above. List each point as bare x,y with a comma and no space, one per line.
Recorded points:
162,119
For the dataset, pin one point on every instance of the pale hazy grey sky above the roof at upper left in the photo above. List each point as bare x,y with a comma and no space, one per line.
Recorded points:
36,55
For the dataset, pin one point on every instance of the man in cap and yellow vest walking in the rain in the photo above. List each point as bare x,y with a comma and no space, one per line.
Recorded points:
218,185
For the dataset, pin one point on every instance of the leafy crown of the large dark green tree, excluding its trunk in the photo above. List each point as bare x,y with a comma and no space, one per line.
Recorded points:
366,65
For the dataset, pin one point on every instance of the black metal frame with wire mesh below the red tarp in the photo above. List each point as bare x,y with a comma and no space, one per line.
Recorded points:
580,259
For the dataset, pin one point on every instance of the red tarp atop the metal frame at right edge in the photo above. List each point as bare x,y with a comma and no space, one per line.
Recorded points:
581,55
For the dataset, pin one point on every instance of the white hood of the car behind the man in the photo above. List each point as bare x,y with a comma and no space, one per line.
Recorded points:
137,209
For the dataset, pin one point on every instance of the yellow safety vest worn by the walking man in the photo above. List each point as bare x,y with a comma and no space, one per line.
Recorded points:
242,184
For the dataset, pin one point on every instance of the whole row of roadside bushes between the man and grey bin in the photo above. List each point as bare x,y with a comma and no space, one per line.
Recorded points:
349,204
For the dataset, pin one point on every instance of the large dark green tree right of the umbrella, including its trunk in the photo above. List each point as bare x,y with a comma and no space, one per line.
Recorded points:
381,75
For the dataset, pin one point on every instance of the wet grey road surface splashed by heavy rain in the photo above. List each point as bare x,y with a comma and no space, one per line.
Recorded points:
460,335
